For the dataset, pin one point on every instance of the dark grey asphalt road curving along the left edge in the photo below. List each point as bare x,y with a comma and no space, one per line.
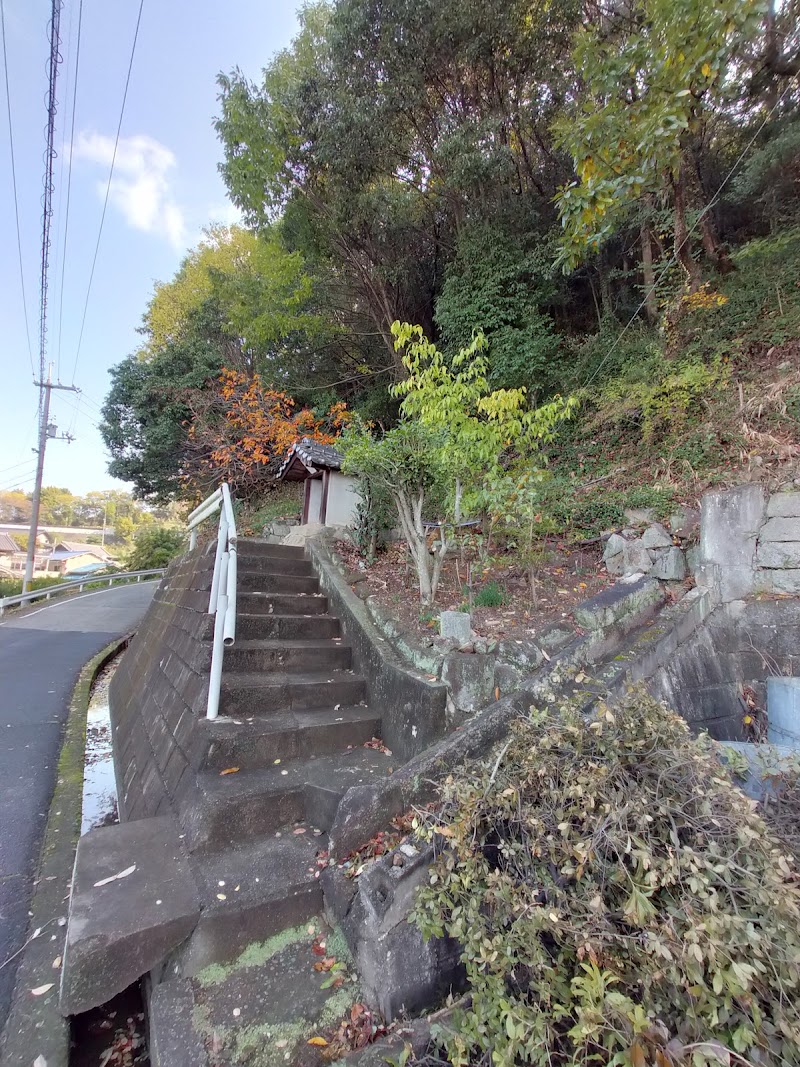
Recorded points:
42,655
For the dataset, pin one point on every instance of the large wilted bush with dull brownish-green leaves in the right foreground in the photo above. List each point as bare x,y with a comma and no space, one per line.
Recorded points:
619,901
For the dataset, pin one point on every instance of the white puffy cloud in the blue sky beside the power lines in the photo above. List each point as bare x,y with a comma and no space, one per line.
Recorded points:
141,186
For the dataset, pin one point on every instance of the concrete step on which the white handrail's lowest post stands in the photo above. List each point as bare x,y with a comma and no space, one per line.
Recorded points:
257,743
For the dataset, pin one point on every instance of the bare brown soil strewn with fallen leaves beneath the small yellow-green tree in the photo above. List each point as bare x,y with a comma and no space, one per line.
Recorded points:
566,577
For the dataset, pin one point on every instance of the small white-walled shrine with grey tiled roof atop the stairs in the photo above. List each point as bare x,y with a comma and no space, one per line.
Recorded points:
330,497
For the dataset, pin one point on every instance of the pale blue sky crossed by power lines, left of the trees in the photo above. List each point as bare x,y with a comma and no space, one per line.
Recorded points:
166,189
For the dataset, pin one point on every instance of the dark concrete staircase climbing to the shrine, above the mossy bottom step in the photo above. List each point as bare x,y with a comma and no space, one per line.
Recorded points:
294,720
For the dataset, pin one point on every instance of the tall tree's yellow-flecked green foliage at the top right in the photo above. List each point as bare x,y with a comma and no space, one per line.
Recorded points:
651,71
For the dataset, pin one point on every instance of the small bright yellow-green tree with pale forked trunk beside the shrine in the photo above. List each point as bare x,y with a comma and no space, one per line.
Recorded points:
455,445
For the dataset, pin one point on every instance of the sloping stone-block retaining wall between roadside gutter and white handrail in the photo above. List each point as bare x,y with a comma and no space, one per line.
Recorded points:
159,693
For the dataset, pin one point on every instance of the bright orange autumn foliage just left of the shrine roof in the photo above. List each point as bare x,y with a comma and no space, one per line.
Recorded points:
245,427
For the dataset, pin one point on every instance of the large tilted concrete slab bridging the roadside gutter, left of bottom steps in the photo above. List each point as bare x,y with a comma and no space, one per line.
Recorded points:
122,928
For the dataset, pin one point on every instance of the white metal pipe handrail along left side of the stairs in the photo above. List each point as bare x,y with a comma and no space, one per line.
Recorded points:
222,601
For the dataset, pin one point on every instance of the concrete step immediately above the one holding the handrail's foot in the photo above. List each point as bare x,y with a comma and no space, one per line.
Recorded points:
246,695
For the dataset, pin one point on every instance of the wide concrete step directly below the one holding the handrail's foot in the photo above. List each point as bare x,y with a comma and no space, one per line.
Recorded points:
252,805
